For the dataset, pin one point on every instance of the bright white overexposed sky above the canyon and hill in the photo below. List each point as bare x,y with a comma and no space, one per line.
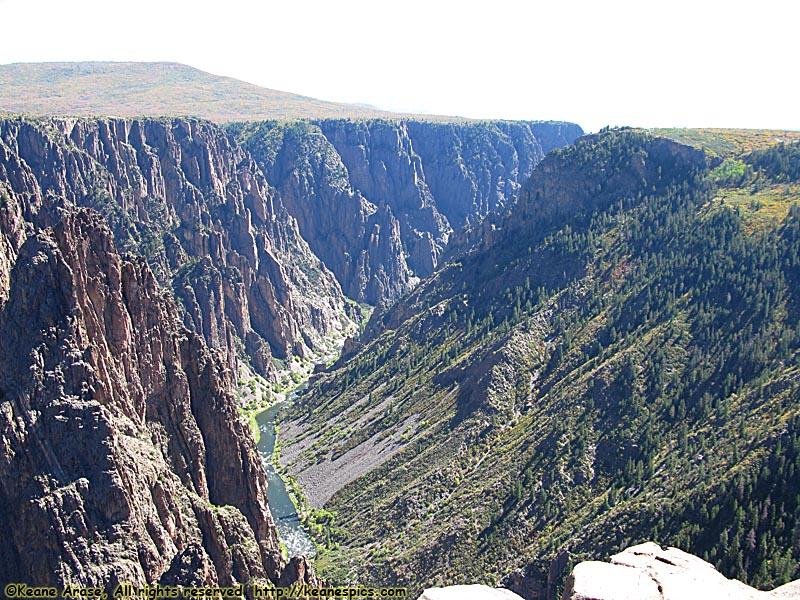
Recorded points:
683,63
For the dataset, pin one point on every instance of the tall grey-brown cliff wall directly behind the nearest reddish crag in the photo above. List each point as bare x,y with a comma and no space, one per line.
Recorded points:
196,205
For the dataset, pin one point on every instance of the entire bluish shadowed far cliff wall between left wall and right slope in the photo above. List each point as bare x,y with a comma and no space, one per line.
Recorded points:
379,200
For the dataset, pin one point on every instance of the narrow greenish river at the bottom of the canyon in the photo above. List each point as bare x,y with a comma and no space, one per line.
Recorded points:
283,512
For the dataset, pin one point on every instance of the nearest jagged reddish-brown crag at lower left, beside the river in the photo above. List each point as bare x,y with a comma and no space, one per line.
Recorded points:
124,458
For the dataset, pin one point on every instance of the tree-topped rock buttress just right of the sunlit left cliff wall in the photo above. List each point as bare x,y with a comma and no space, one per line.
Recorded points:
358,240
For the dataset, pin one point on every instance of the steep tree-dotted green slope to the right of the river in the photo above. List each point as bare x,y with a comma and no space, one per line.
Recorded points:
622,363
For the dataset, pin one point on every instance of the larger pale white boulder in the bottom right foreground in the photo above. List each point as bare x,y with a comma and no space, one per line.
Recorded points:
650,572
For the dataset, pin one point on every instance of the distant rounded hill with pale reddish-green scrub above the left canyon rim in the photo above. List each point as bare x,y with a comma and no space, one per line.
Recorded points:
156,89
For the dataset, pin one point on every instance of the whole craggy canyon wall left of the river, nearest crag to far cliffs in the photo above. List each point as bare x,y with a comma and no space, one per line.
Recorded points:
143,262
